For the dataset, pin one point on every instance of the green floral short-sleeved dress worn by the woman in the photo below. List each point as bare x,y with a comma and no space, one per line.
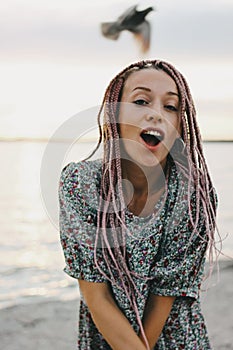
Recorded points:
166,257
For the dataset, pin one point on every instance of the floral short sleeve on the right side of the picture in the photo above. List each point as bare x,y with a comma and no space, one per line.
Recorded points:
179,266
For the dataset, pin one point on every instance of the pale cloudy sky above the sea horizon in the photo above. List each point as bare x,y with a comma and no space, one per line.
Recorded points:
54,63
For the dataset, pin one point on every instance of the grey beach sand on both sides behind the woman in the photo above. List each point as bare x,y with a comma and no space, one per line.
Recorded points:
52,324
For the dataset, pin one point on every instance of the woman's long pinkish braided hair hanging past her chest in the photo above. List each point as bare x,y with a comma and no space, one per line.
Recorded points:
111,215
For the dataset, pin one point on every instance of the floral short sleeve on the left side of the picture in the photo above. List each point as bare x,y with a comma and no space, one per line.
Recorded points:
77,221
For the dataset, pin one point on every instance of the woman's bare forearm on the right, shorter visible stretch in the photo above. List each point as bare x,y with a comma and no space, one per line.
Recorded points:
156,313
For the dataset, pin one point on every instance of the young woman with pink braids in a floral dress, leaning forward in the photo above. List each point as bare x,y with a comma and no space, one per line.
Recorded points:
136,225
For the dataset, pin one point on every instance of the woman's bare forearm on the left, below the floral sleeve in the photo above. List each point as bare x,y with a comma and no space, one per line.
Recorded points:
108,318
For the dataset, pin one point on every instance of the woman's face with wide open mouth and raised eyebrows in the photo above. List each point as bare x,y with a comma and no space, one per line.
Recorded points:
149,116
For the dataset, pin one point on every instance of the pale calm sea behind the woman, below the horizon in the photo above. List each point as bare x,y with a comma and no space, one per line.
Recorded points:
31,259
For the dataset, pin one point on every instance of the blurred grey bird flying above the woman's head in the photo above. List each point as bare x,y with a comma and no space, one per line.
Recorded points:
133,21
